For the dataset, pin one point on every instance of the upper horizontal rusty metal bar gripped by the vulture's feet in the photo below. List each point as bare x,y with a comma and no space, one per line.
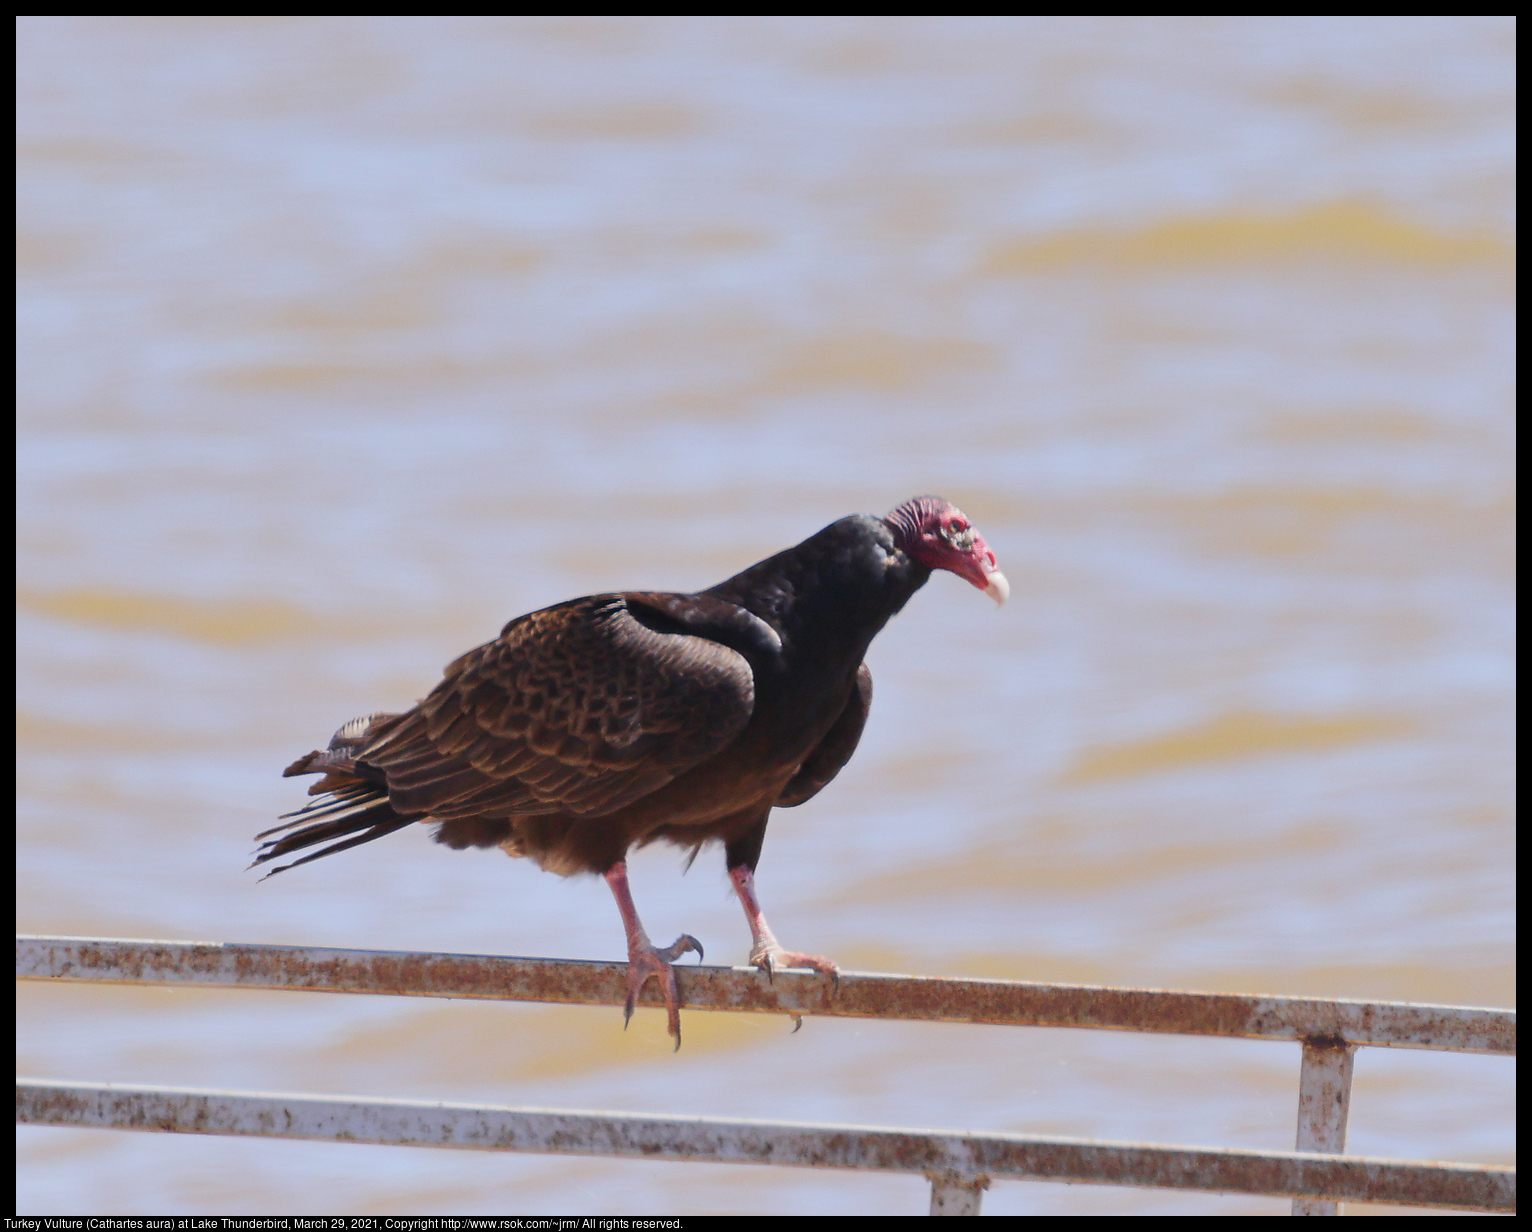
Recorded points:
860,994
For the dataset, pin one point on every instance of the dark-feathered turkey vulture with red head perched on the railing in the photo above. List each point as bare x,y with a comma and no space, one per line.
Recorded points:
623,719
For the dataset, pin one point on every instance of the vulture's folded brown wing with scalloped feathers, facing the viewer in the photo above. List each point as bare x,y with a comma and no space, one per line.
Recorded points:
580,709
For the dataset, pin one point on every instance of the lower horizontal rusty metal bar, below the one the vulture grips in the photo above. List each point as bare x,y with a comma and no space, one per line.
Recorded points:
1459,1187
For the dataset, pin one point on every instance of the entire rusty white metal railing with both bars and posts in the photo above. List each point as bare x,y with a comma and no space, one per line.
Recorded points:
960,1167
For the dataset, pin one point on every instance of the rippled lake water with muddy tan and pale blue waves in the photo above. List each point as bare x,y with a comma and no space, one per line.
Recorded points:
347,339
